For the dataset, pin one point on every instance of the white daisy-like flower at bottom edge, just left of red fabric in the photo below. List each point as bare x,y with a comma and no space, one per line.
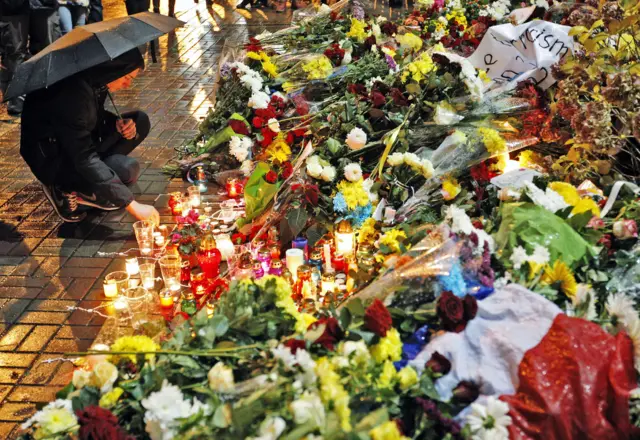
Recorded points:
490,421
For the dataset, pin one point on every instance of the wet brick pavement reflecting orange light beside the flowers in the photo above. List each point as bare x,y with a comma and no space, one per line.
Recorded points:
47,266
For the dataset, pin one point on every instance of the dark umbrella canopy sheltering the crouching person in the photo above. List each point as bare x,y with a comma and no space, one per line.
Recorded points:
88,46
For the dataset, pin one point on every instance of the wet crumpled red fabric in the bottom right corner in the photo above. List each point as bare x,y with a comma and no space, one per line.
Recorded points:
574,384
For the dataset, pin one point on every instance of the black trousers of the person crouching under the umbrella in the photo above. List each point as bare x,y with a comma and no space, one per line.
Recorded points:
113,150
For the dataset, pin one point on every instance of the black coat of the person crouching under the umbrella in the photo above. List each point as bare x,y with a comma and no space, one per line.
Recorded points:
61,126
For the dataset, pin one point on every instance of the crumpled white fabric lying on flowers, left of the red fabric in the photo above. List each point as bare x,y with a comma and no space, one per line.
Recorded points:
488,352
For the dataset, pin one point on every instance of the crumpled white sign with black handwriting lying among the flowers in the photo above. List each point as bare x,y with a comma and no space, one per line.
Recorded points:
514,53
